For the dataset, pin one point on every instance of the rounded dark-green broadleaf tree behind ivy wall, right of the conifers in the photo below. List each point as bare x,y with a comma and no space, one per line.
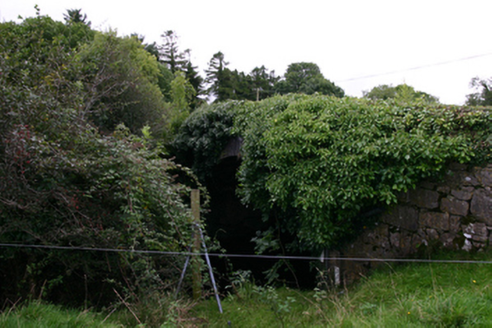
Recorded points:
306,78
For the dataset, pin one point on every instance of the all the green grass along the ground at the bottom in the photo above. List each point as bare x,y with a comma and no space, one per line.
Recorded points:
412,295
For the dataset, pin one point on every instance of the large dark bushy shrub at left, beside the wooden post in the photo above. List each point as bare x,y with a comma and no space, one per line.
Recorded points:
64,183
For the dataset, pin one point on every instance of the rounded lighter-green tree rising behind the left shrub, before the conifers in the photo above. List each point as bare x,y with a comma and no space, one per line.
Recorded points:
122,82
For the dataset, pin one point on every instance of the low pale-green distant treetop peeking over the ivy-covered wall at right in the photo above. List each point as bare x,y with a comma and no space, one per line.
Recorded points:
401,93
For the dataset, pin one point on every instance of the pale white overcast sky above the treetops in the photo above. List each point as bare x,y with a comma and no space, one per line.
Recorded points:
435,46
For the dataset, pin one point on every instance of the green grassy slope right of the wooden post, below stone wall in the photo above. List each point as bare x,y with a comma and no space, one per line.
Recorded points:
413,295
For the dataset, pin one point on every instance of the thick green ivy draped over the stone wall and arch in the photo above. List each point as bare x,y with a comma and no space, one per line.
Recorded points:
317,166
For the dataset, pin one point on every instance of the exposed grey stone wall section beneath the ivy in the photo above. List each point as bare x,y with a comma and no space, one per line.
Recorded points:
455,213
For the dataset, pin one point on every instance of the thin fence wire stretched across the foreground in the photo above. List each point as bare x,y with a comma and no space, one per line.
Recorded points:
268,257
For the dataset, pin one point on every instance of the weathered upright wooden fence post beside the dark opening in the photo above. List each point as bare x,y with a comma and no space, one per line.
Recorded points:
195,264
